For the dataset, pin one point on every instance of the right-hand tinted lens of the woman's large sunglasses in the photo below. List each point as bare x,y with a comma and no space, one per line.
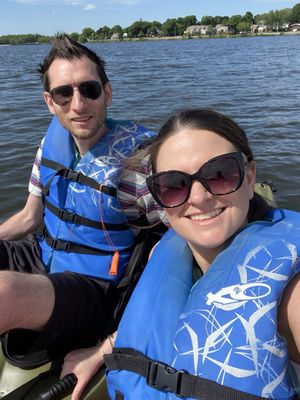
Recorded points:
222,175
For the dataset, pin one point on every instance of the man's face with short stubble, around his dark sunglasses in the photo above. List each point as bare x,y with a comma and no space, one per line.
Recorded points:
83,117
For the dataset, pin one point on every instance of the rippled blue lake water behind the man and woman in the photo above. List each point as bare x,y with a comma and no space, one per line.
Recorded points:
254,80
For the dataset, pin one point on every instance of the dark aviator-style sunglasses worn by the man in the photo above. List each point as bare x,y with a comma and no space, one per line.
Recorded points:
61,95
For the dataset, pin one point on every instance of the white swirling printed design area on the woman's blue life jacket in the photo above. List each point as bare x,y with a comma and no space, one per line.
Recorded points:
237,322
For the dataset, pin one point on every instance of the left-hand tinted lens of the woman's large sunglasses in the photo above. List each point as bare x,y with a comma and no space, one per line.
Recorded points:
171,189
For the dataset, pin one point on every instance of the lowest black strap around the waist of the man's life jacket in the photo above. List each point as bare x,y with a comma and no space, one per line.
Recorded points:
71,247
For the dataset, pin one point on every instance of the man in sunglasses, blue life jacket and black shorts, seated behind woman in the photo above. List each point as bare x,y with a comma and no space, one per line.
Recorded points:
66,298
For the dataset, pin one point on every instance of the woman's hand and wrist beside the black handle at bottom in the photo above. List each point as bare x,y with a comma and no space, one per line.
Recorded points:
84,363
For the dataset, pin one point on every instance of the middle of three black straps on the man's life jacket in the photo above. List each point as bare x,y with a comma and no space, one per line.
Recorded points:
67,216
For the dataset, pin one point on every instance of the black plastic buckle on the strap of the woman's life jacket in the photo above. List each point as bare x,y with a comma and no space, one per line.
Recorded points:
163,377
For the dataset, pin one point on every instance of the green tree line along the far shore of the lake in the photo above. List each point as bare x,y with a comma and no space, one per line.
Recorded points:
273,20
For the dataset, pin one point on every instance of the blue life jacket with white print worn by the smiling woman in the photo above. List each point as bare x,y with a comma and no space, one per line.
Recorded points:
222,329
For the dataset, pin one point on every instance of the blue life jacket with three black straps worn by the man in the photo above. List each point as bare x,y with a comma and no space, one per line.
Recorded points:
84,224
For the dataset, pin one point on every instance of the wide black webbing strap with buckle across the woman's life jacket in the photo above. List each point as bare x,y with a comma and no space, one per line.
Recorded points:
165,378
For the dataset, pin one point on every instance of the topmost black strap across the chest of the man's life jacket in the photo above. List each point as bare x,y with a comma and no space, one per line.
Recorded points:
75,176
